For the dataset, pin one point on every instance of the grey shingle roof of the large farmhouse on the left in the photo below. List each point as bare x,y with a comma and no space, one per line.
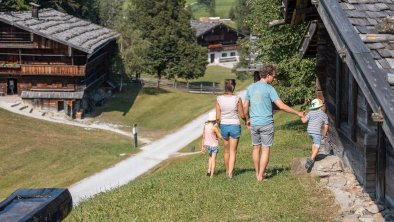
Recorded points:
63,28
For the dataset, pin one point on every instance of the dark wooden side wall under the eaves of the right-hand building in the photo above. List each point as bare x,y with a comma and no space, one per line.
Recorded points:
353,135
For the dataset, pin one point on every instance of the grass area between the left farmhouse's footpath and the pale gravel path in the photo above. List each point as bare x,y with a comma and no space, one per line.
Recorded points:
36,153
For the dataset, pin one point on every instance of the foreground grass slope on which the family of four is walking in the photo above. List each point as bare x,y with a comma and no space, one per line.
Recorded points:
179,190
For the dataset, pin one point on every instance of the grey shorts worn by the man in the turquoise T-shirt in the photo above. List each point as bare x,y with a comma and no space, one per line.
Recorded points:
262,135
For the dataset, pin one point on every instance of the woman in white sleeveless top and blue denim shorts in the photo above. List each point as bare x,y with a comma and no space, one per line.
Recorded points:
228,108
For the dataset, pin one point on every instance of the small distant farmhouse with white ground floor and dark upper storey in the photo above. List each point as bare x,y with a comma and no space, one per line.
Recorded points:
220,39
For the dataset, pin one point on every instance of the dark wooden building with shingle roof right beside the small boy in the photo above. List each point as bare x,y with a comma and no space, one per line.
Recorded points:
354,52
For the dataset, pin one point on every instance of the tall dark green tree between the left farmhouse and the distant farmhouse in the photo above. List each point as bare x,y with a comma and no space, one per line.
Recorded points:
173,49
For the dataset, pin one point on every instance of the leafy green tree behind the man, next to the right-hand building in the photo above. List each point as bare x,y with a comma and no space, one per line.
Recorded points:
278,45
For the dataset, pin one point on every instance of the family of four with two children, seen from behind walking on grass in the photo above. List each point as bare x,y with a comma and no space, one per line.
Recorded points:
256,112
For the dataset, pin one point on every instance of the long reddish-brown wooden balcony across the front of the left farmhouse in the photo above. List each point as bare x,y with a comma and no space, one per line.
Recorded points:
50,70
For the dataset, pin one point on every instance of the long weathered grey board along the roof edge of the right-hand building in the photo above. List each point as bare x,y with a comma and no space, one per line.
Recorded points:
358,58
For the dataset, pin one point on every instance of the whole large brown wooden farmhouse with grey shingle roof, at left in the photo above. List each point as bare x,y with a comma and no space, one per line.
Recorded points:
52,60
